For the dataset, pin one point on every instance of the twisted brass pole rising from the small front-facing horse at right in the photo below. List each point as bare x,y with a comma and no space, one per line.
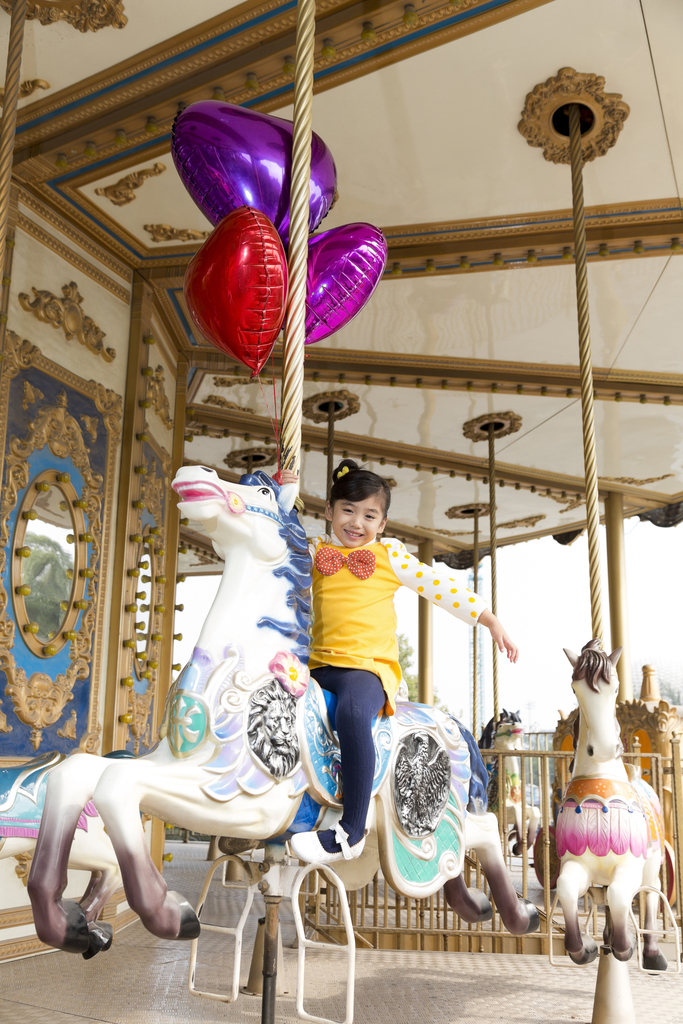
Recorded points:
588,419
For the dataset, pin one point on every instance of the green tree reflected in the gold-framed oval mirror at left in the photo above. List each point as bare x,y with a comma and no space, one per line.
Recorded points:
46,573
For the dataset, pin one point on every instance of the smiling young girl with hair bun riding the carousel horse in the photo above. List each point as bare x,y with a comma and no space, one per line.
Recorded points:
355,652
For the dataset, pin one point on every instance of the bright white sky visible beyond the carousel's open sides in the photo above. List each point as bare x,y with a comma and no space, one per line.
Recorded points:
544,605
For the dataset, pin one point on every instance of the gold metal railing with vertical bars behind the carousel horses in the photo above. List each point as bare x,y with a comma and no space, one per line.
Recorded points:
386,919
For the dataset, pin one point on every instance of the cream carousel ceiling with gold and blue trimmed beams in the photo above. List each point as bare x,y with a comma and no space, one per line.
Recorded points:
477,312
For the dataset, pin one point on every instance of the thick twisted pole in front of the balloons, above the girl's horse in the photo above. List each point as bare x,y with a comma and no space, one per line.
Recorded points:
298,253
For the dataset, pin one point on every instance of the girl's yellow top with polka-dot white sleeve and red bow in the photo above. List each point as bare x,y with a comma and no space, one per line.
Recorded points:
355,621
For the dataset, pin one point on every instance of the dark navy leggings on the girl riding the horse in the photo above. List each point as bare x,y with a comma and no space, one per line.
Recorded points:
360,698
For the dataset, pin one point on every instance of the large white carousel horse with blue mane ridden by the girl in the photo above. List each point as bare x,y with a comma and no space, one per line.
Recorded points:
248,748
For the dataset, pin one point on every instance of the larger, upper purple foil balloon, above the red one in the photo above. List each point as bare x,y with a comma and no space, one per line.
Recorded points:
230,157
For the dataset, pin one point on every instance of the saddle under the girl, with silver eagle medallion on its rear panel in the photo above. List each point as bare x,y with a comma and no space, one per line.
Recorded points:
428,772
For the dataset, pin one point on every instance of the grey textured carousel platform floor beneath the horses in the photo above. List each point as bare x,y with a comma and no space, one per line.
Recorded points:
143,980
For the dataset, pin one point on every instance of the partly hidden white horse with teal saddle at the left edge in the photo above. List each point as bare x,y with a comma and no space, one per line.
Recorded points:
22,801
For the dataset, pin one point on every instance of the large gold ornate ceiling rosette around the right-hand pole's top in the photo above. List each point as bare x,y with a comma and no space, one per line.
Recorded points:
570,87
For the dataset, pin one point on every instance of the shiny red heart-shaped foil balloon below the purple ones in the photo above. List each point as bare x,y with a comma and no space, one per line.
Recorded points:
236,287
